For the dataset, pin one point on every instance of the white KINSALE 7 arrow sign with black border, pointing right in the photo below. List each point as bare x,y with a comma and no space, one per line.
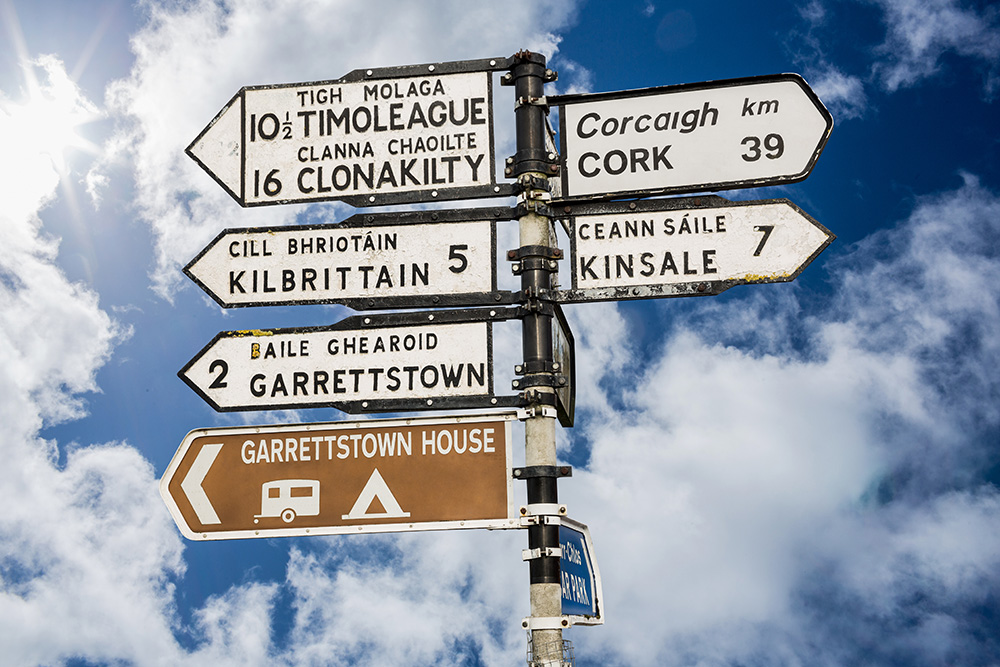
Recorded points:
687,247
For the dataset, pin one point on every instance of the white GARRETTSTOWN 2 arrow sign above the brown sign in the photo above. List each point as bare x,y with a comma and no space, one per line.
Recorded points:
376,363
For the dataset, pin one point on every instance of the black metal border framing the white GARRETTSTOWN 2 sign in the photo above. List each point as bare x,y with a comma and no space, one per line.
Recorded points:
387,321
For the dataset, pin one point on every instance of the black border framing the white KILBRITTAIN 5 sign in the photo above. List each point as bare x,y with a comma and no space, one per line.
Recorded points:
374,220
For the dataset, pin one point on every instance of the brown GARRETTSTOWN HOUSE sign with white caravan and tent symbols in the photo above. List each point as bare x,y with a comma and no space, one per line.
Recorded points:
345,477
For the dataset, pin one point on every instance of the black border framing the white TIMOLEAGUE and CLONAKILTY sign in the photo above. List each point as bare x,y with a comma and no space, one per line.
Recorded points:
492,189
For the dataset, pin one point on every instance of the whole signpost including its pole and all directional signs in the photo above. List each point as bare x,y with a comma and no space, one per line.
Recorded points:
424,133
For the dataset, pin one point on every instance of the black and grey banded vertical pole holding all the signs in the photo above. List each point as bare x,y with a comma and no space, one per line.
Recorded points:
532,166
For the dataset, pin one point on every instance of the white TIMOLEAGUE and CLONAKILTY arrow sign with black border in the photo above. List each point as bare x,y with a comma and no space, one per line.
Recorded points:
373,137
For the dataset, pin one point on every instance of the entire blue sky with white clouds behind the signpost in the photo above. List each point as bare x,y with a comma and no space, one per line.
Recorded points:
789,474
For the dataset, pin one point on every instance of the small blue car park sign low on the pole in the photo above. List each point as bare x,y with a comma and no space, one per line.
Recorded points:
580,580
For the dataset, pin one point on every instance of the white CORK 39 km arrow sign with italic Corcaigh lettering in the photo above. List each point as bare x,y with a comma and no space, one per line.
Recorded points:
690,138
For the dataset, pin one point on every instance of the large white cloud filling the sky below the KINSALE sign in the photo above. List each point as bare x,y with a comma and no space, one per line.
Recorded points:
751,493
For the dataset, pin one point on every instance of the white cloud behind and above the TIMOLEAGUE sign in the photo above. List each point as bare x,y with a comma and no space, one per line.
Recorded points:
191,59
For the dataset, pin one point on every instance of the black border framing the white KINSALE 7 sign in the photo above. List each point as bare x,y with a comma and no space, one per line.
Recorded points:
661,291
